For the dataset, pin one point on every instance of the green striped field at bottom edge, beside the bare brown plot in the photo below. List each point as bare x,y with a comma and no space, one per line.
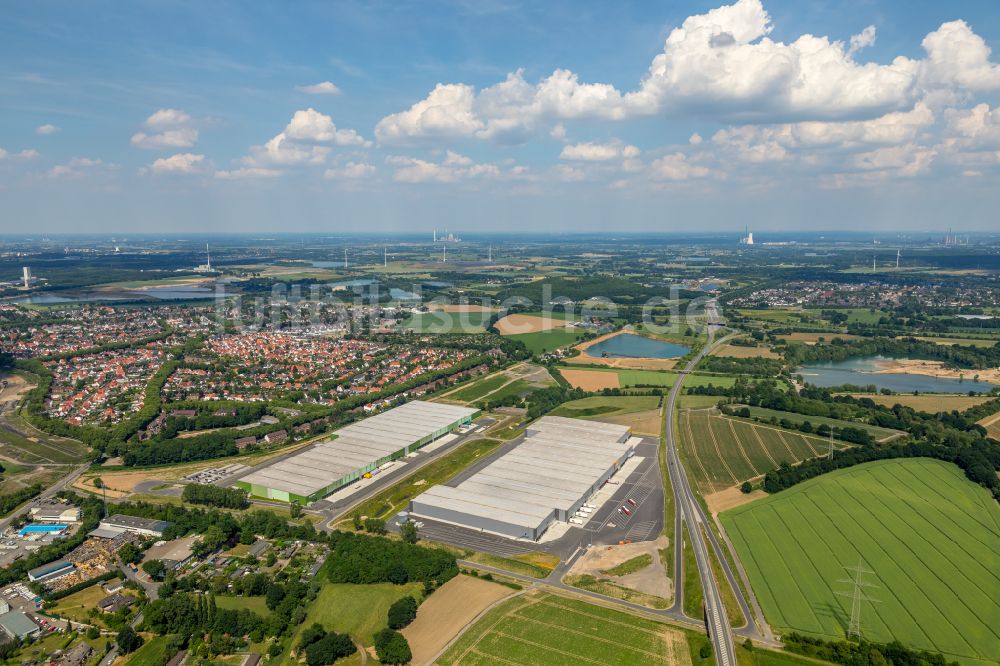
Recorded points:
544,629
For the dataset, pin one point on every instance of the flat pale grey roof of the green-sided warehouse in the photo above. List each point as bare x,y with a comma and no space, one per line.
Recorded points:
358,445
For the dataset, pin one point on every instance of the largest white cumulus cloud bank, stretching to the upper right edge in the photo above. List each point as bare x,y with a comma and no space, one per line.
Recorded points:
722,63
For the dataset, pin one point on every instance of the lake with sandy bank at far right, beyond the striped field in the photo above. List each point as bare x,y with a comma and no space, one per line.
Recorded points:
859,371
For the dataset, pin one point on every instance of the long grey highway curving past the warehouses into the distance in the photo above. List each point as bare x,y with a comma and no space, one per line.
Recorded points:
688,513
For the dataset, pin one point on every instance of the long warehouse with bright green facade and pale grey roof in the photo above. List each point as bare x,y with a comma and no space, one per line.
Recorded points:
354,451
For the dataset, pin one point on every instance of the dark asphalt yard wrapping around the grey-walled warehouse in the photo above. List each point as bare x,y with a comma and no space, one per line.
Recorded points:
607,526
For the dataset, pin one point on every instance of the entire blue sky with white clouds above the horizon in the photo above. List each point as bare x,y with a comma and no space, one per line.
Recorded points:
495,115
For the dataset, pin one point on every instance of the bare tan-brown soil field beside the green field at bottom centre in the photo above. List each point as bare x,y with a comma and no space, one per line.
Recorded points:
446,612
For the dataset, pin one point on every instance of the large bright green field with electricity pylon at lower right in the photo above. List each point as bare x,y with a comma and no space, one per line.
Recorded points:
930,536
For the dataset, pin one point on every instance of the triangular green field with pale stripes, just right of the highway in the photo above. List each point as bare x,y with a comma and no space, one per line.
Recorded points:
726,451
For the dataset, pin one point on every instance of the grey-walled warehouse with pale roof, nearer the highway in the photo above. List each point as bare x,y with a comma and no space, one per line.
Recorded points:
546,478
